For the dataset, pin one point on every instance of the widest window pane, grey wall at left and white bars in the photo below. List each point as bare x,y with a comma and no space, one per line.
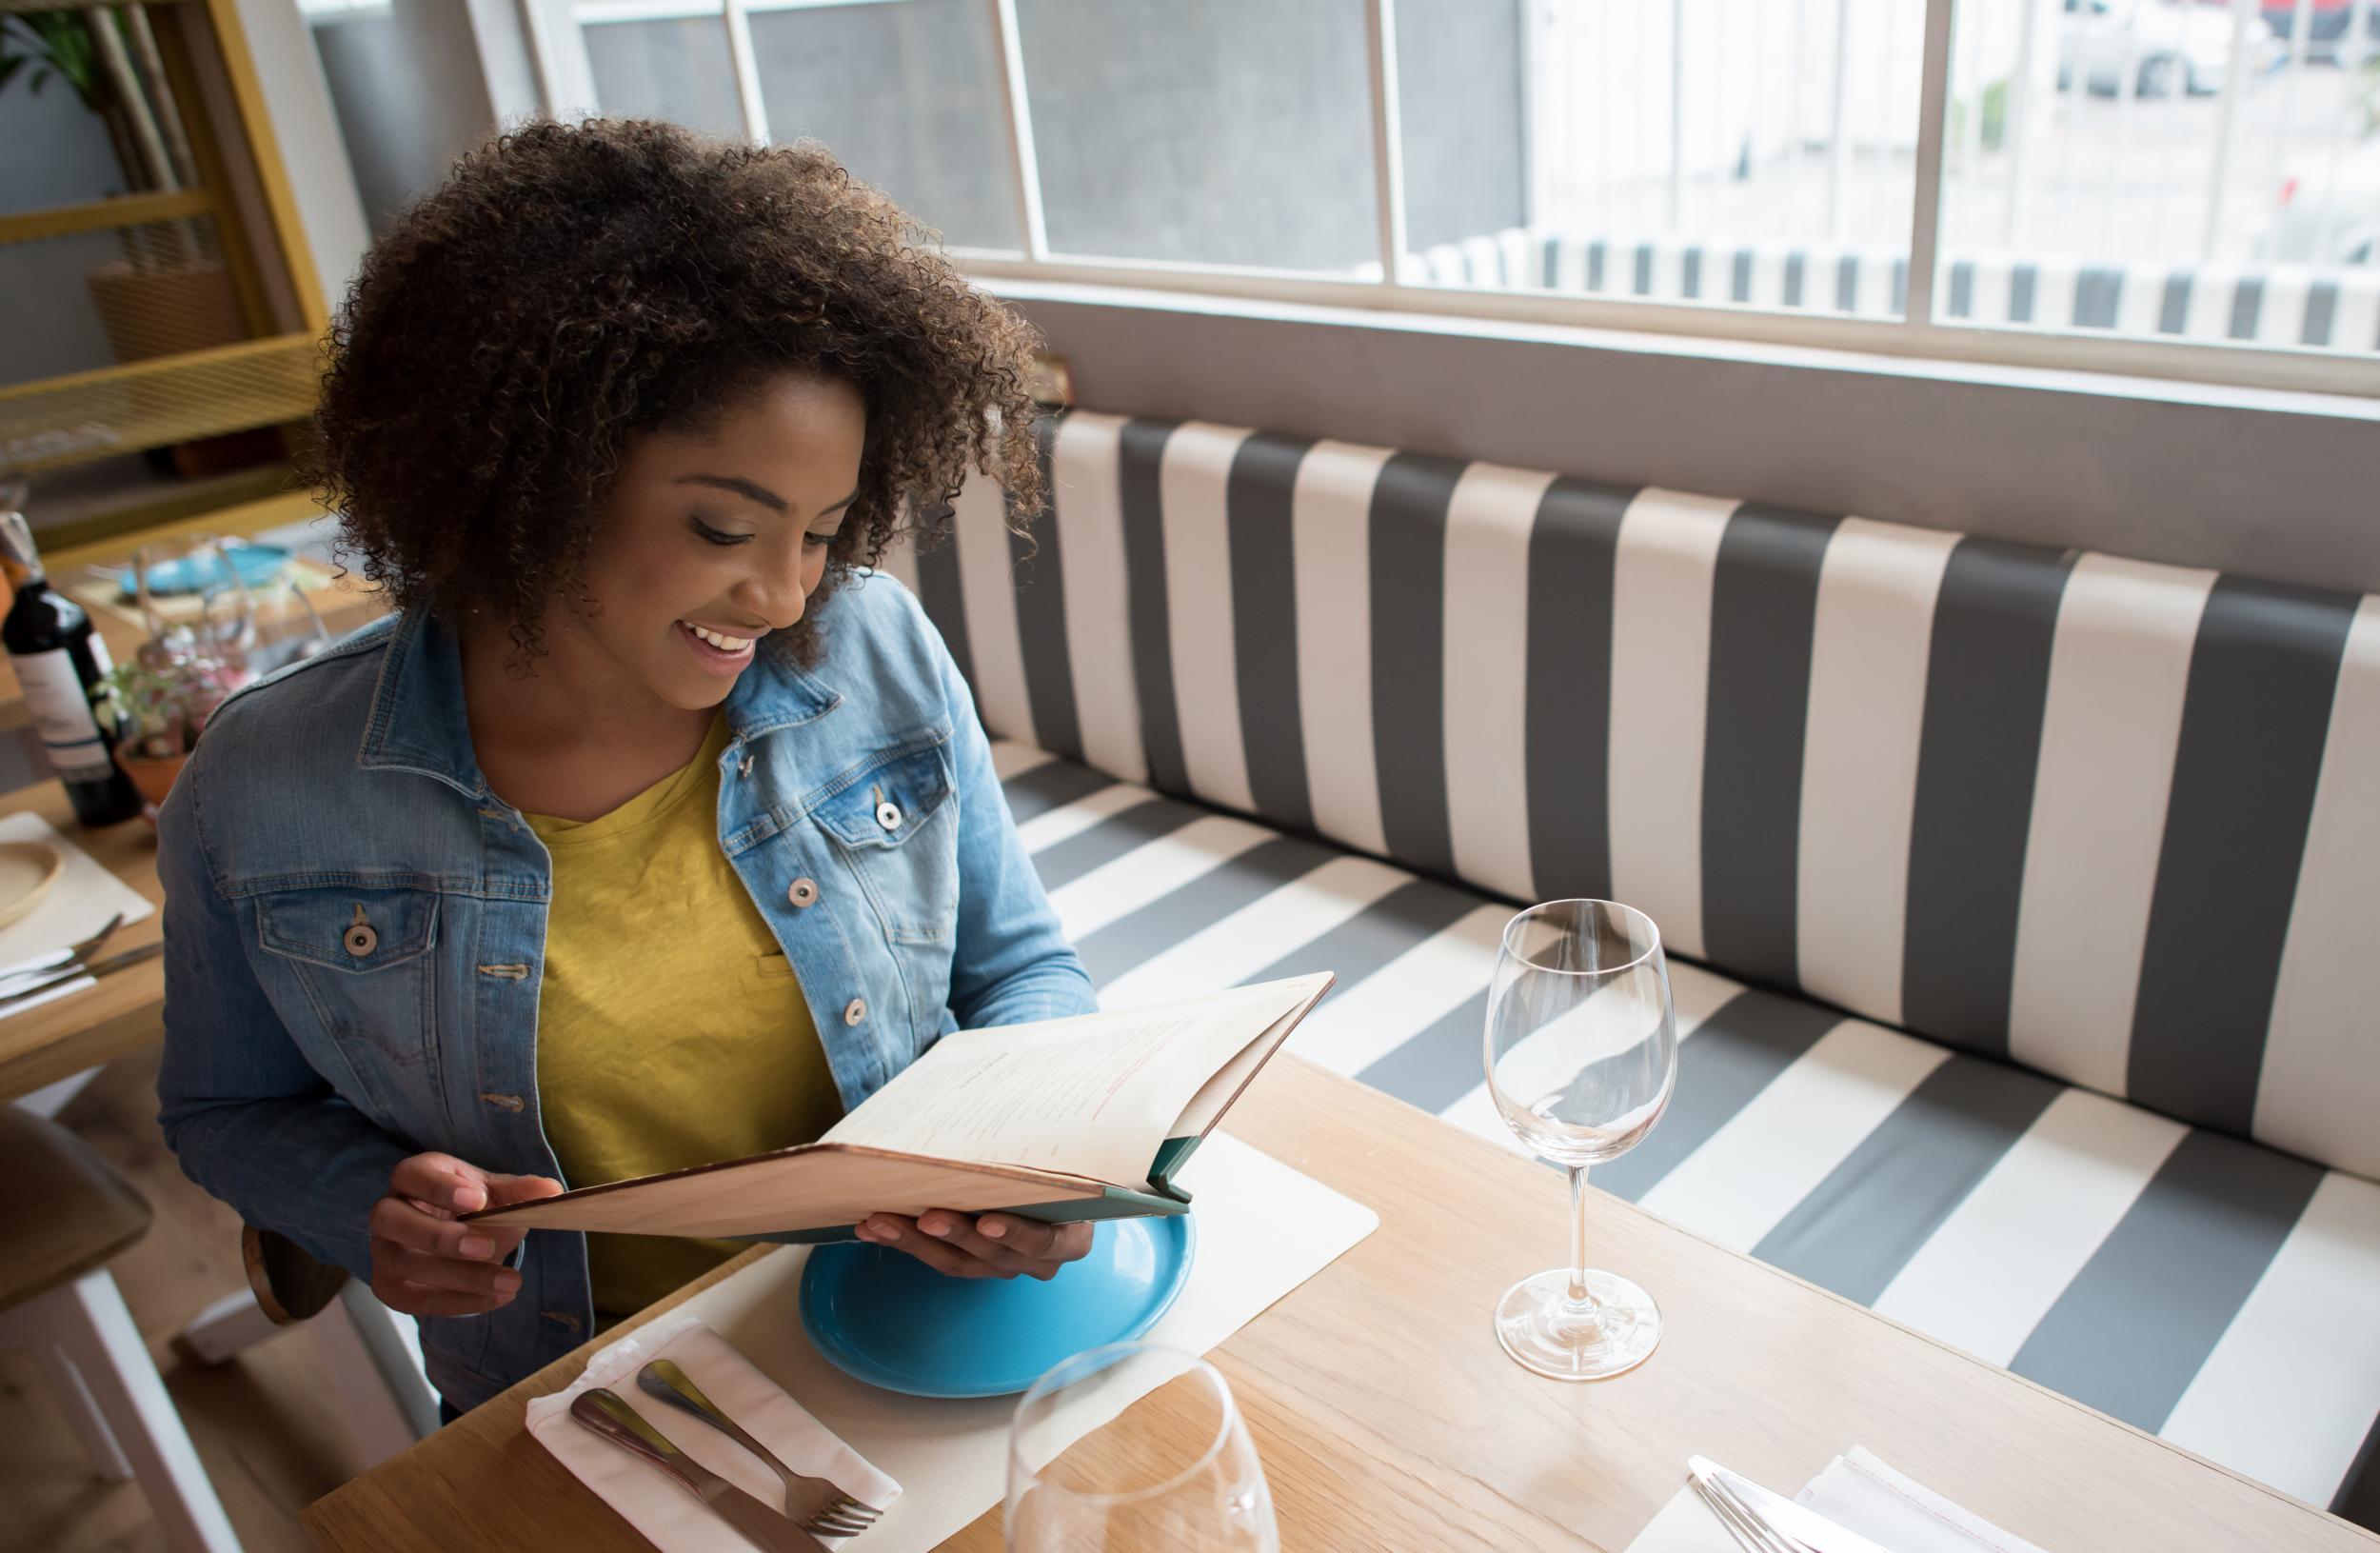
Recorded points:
1686,151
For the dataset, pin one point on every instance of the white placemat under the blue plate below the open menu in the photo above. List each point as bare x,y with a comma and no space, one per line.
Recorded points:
1263,1230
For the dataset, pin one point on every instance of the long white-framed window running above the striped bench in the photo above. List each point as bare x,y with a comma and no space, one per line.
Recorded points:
2179,187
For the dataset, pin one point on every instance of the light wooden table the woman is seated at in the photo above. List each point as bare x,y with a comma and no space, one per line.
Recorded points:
1389,1418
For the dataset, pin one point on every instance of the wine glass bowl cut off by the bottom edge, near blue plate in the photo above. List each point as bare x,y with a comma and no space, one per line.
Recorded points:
1134,1447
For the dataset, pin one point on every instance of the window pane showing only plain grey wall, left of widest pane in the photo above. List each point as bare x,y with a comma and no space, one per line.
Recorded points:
1229,132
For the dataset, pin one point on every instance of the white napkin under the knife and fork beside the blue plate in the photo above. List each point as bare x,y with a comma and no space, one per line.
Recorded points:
672,1518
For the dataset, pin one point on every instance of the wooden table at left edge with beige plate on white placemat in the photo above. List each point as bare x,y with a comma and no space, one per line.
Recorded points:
123,1011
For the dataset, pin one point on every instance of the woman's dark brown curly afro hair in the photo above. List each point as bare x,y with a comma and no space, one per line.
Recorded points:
580,285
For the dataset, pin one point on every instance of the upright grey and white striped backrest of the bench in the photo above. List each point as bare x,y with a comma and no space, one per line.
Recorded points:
2112,821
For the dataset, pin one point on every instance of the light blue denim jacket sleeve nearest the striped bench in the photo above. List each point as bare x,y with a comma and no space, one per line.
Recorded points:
1013,961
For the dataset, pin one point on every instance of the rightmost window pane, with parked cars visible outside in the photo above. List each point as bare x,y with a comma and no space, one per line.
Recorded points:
2165,170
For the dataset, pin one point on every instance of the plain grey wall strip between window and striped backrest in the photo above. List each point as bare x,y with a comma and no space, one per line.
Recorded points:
2284,492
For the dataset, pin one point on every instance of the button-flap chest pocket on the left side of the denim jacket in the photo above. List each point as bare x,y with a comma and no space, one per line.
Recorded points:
363,961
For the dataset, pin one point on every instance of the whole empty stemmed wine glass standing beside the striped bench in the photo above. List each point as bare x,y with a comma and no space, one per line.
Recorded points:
1582,1061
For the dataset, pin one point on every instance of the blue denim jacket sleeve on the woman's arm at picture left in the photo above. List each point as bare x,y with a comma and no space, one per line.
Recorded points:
239,1104
